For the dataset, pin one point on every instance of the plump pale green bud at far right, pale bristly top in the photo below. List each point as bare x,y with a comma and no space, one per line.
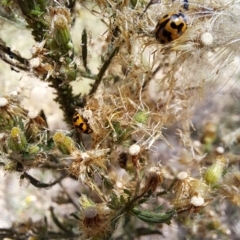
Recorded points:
214,172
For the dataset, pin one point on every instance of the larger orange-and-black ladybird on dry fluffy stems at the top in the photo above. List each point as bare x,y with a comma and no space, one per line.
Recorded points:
170,27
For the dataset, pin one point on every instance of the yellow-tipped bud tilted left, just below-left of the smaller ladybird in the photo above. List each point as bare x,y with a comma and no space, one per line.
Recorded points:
65,144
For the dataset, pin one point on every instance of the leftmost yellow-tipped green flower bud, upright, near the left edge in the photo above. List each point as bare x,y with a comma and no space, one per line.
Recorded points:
17,140
